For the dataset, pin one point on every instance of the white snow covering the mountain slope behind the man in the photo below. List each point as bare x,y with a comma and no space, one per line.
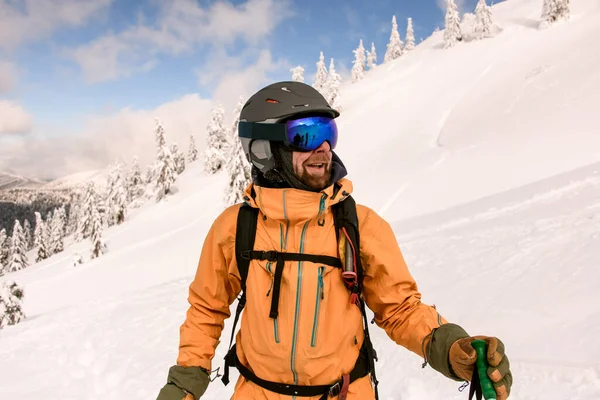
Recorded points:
485,159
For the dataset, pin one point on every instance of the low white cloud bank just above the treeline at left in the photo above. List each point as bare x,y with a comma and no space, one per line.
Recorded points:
106,138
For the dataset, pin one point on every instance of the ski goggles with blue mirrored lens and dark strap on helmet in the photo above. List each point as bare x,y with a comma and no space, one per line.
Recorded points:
302,134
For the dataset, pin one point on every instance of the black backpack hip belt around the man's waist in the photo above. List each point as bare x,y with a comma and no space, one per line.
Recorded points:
339,388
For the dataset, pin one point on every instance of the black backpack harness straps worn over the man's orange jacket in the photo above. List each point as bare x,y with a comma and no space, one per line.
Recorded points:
346,223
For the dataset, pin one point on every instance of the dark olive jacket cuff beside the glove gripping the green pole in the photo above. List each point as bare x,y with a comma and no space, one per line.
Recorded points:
438,348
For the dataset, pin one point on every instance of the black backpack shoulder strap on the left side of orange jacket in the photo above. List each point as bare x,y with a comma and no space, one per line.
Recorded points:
245,235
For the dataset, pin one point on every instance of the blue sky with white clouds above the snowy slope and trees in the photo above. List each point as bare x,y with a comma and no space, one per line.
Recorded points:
66,62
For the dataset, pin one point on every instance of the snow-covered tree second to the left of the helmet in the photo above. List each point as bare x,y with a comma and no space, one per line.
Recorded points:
217,146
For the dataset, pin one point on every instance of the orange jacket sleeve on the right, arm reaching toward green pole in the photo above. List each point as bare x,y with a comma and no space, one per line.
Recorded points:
389,289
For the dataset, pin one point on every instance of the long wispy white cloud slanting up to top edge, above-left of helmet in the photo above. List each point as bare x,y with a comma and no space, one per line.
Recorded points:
181,26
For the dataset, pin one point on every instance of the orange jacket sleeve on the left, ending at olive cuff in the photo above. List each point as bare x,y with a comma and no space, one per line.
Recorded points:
213,290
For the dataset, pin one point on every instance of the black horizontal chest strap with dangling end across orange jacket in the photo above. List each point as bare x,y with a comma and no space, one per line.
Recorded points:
281,258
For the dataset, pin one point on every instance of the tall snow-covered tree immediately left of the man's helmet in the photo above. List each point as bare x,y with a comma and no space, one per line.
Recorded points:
238,167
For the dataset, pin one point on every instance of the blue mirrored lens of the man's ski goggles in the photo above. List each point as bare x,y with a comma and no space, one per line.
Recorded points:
309,133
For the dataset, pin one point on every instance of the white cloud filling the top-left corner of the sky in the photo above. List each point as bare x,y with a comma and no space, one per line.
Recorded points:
24,20
